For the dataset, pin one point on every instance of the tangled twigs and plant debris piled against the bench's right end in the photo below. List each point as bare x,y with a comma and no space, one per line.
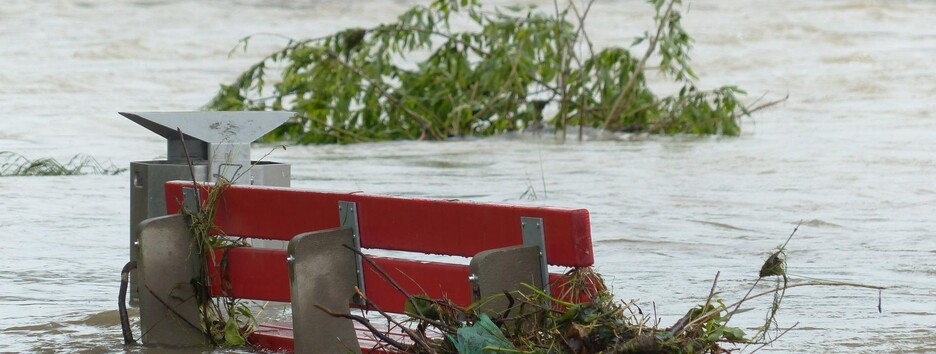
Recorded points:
540,323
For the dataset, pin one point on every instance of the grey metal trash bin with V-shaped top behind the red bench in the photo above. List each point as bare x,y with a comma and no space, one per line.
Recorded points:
216,143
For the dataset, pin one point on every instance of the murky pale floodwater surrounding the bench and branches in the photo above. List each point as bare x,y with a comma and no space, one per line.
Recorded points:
851,154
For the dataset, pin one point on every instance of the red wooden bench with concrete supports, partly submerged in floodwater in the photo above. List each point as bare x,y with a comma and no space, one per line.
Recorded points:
309,218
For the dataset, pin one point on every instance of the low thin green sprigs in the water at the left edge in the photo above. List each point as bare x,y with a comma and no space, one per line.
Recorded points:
13,164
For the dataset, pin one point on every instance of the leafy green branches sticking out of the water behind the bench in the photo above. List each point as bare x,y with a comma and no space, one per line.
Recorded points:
516,68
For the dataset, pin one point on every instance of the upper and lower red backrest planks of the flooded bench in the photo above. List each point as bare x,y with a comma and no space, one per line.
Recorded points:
416,225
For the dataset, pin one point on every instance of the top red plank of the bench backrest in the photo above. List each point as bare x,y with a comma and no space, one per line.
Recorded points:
415,225
